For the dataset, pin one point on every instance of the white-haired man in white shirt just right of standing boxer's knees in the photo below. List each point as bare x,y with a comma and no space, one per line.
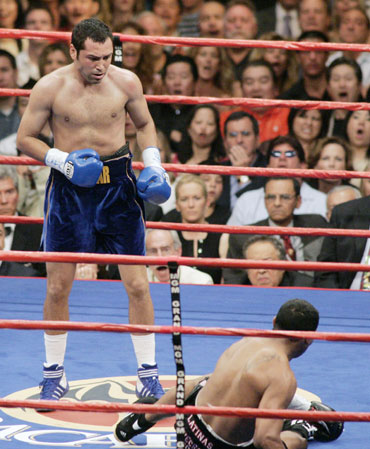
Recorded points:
162,243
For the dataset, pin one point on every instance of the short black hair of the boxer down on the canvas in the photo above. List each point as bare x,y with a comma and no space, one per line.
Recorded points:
297,315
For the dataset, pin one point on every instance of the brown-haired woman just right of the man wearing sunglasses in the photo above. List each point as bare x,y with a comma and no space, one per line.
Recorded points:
331,153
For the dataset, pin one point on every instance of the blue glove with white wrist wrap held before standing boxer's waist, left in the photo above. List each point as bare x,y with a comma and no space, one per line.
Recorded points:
81,167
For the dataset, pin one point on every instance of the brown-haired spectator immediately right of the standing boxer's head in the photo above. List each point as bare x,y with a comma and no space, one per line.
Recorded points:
136,56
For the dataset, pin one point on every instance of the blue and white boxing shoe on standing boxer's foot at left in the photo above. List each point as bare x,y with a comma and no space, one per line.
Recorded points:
52,388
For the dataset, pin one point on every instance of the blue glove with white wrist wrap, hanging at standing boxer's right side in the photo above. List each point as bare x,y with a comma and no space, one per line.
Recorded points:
153,184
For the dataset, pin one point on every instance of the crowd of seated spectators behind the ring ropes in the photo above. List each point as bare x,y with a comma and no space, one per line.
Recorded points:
228,136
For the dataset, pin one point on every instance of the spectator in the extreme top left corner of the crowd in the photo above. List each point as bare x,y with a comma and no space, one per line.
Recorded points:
12,17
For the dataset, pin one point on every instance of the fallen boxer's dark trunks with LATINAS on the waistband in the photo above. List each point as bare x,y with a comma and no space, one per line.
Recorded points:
200,435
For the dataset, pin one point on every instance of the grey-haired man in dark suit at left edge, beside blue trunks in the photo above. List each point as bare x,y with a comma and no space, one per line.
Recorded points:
20,237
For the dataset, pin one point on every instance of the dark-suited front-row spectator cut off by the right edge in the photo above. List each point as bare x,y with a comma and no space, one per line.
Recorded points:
350,215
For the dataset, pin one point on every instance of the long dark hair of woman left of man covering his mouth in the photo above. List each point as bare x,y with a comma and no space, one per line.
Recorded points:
217,148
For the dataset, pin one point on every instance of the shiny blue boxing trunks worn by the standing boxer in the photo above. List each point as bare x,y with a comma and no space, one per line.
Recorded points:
106,218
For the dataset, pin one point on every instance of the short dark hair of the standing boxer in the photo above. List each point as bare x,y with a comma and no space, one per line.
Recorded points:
91,28
